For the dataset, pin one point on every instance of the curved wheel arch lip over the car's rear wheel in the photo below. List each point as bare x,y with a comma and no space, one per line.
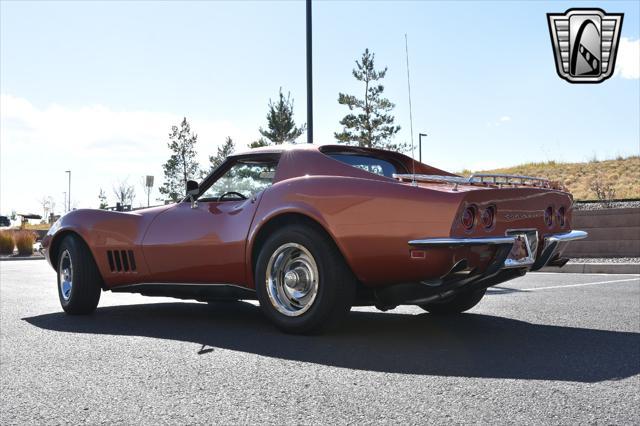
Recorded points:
284,219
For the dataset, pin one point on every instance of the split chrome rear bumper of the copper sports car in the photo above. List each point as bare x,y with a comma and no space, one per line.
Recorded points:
553,244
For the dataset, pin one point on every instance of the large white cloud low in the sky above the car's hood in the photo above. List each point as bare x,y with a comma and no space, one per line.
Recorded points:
99,144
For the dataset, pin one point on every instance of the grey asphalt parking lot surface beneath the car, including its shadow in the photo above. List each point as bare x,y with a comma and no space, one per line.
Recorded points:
546,348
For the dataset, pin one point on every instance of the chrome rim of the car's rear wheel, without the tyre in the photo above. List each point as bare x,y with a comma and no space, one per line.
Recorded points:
292,279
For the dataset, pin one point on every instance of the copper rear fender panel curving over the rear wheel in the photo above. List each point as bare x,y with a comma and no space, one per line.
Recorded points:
370,221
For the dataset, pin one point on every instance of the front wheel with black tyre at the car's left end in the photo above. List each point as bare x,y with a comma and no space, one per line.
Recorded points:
78,277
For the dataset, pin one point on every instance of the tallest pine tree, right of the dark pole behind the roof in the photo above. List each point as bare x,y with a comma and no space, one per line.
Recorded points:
373,125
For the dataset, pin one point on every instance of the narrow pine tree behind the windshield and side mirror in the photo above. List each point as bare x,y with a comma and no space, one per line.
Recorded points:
182,165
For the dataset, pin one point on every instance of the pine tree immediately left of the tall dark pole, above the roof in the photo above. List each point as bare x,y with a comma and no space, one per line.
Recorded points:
281,128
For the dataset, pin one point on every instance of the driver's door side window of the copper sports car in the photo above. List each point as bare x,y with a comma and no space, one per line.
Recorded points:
245,177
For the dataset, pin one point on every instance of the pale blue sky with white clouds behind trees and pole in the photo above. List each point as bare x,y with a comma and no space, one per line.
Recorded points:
95,86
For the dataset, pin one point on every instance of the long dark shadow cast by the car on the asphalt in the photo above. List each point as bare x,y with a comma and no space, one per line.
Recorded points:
468,345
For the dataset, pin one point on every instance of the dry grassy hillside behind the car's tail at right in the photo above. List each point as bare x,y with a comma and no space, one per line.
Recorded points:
622,175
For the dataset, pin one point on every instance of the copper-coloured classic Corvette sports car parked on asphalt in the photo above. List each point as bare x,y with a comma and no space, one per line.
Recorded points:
310,231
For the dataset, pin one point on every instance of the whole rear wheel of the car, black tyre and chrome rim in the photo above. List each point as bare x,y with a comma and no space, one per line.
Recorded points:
302,281
